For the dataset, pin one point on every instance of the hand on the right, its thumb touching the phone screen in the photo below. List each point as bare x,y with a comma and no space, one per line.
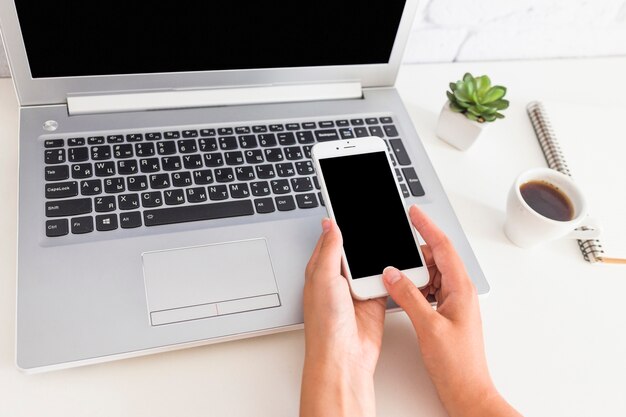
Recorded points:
450,337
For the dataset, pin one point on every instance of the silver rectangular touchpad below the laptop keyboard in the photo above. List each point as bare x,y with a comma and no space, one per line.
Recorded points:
208,281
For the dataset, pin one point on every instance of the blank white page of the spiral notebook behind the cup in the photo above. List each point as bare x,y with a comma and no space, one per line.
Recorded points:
593,141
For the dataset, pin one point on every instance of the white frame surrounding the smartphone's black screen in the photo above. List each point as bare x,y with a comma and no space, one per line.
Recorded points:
371,286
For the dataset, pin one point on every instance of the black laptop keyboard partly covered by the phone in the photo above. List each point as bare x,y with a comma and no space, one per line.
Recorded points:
104,182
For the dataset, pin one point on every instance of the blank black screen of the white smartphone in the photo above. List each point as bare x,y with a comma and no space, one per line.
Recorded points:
370,213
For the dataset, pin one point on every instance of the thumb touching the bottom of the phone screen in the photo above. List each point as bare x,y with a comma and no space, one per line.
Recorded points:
408,296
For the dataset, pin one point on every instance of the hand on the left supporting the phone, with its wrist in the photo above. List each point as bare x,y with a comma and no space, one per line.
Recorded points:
342,336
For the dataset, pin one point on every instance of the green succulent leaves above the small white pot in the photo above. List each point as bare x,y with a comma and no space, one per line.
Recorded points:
477,99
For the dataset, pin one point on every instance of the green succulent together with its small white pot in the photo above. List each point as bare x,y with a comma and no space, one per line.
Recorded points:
472,104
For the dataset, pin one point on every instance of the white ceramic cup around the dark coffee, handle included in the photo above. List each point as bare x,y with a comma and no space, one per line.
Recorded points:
526,228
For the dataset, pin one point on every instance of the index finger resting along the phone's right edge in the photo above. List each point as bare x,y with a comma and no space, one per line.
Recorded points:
443,253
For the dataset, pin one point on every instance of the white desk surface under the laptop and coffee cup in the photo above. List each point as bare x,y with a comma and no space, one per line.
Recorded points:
555,326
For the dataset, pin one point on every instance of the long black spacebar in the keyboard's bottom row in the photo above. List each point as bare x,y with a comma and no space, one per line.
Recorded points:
197,212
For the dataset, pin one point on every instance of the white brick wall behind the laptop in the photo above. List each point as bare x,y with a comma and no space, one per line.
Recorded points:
471,30
